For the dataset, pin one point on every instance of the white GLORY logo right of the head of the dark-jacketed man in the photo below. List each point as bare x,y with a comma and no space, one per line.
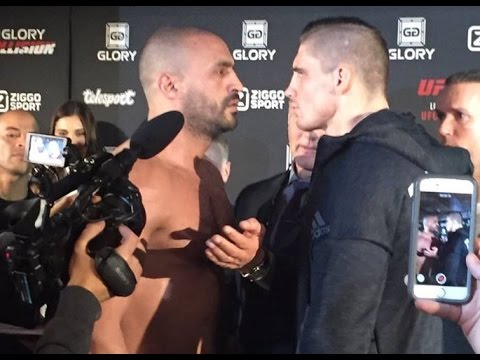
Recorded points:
411,37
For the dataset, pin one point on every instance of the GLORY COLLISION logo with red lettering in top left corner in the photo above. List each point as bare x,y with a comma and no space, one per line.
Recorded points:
25,42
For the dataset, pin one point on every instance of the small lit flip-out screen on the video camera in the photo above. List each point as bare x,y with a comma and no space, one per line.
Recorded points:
45,149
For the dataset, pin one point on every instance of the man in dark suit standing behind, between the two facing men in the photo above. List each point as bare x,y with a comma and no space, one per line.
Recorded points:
266,285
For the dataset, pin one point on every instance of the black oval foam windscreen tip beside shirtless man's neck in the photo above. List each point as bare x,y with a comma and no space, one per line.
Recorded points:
154,135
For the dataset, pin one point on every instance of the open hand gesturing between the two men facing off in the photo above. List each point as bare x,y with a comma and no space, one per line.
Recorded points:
237,250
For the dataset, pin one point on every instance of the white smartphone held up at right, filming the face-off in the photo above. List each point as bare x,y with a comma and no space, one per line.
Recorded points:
442,234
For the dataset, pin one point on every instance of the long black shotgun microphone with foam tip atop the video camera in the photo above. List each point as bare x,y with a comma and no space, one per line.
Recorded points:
148,140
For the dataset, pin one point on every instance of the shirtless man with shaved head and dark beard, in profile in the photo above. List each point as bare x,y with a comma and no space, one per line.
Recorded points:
175,306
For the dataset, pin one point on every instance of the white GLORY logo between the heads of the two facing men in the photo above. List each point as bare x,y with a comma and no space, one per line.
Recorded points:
255,39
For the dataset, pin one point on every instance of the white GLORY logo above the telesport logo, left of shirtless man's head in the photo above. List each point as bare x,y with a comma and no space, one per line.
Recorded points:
117,41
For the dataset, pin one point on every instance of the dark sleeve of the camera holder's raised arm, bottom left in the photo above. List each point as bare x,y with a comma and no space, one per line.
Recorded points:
70,330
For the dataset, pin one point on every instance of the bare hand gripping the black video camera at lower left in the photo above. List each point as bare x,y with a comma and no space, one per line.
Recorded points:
82,266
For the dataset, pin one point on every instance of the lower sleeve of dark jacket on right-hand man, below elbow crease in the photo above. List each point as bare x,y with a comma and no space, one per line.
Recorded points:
346,289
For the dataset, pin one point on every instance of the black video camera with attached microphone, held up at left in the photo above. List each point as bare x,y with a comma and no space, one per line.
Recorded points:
36,248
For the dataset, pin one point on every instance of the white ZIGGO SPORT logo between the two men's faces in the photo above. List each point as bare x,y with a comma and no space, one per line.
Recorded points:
261,99
